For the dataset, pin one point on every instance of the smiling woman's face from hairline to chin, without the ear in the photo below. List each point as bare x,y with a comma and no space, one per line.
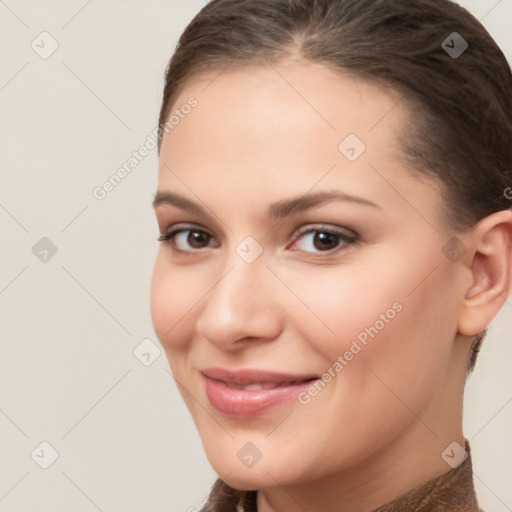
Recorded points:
345,293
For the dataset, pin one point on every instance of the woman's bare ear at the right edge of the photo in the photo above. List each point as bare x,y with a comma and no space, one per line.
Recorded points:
490,264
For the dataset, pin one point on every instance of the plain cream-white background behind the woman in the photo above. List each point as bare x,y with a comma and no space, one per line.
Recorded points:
70,325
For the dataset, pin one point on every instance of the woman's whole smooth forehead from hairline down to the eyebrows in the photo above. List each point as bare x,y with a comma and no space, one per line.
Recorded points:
272,130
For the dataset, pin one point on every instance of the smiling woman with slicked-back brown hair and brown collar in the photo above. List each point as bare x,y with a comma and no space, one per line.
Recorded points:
334,208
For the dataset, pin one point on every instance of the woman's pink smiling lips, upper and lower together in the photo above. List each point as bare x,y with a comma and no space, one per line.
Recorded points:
251,393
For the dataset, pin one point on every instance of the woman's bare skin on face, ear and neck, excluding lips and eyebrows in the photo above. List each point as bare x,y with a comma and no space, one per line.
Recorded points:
379,427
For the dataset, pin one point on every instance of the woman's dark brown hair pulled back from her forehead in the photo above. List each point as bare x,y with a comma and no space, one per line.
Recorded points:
461,133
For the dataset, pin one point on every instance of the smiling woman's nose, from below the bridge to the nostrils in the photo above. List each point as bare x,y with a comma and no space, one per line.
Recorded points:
242,304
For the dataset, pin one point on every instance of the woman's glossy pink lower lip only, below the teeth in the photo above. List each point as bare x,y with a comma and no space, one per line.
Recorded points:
245,404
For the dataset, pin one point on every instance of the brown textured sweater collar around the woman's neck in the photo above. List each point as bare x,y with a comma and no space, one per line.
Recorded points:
452,491
